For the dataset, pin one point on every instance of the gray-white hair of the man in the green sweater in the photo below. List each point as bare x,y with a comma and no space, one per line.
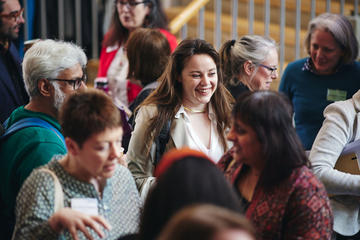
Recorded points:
46,59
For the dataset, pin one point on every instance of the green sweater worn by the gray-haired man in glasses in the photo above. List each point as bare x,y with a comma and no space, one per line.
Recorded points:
20,153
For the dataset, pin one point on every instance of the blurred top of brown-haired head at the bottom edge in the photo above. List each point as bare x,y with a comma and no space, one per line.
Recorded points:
207,222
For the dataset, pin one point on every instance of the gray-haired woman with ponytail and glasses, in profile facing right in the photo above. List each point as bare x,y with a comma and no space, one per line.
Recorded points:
249,64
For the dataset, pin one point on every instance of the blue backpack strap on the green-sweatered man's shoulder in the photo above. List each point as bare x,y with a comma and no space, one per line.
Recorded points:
30,122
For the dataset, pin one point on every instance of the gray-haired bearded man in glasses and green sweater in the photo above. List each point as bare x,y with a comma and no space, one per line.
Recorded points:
52,70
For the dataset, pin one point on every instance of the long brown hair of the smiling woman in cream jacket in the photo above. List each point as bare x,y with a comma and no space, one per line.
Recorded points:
168,95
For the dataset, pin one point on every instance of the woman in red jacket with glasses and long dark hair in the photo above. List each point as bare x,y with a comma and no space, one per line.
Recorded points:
128,15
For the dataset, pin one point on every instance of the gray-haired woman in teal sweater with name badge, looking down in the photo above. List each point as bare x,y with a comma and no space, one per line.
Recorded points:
329,74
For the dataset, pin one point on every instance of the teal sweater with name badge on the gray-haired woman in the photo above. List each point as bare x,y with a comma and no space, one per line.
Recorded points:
311,93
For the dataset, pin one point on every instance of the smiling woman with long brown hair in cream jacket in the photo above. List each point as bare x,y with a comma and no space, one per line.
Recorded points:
191,101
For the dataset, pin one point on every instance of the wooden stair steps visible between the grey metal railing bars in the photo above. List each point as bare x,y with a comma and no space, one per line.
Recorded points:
258,25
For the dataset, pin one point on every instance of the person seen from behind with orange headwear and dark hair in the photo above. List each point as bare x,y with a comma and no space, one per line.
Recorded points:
185,177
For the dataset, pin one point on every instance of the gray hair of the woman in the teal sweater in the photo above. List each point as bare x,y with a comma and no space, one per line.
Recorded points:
342,31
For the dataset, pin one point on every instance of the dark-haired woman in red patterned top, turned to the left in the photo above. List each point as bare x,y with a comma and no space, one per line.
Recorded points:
269,169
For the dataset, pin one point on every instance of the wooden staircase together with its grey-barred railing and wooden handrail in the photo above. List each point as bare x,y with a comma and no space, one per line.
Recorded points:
288,32
